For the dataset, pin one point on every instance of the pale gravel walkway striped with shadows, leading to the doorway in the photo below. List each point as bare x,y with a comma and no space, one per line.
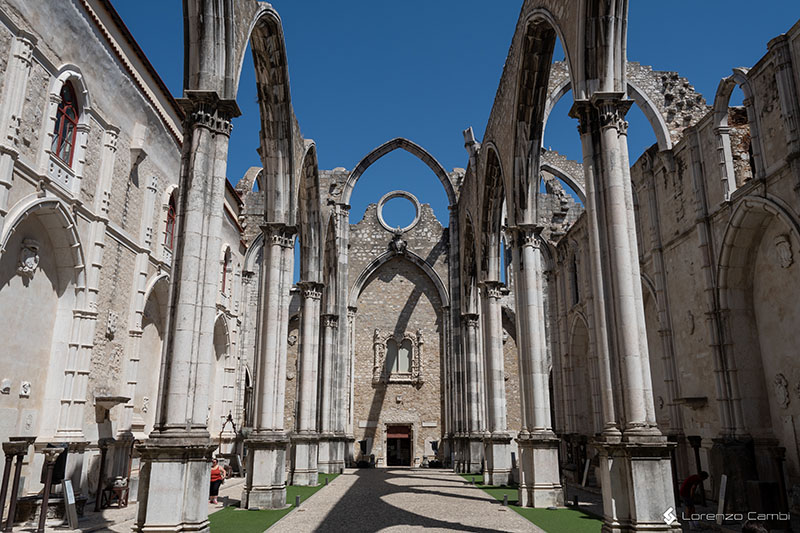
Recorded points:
401,500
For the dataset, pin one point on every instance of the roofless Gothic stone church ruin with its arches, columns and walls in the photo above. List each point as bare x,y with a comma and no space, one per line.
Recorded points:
631,339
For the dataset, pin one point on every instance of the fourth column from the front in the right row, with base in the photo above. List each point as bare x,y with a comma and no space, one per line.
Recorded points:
474,459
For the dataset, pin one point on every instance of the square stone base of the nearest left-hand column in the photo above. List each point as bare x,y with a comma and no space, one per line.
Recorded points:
174,482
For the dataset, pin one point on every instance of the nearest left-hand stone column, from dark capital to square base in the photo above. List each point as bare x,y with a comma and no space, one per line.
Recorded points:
175,476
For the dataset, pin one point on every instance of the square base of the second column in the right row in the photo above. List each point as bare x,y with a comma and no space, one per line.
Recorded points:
539,480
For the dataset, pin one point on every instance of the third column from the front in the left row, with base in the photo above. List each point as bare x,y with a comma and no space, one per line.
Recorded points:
305,440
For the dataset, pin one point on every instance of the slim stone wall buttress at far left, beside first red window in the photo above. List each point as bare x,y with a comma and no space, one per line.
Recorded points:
16,83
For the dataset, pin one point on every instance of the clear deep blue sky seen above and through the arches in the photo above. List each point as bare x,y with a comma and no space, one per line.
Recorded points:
362,73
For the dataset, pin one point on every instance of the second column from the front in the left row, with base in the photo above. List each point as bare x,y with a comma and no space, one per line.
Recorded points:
265,485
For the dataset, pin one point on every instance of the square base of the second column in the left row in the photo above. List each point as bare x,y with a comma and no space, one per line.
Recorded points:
265,485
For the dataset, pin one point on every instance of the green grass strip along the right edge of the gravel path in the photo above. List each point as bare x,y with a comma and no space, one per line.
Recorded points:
552,521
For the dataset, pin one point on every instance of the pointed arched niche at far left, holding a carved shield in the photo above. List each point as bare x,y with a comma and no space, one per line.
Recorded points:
55,269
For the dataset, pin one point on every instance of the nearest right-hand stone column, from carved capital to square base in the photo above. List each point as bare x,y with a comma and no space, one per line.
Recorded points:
635,465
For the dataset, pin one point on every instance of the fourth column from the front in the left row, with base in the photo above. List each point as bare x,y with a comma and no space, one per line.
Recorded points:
327,446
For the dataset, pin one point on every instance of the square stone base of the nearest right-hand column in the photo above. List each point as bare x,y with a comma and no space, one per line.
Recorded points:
636,480
